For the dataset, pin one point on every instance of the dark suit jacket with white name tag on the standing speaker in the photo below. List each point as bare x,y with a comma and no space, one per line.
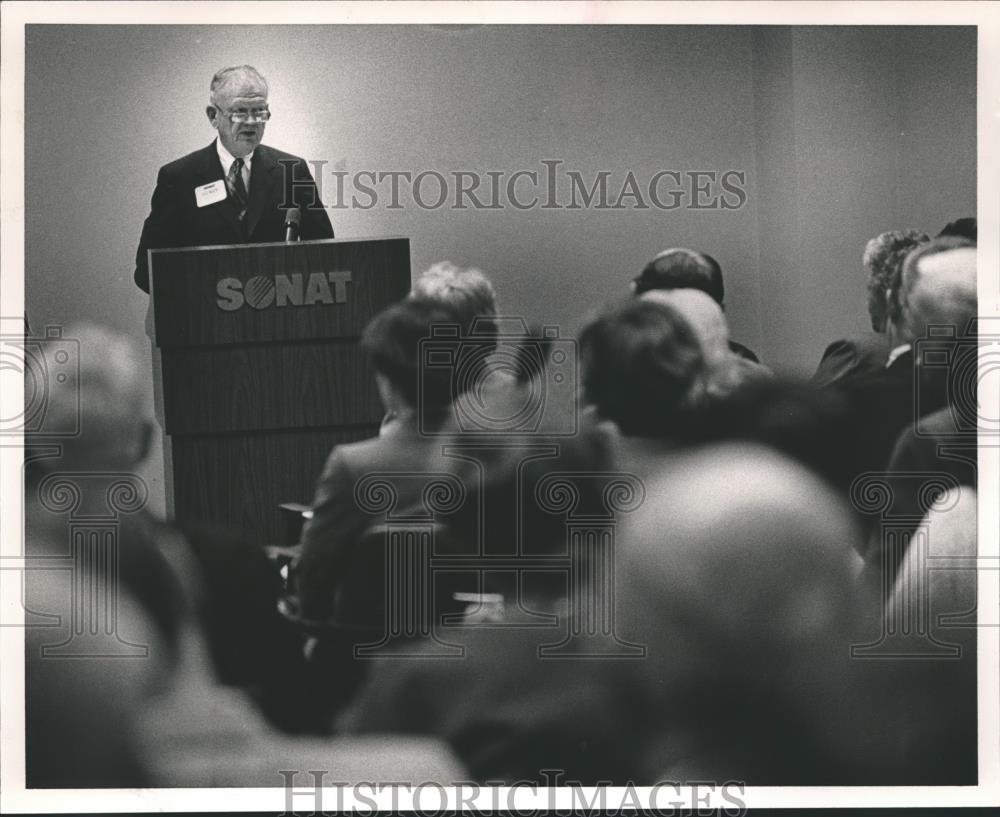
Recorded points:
175,220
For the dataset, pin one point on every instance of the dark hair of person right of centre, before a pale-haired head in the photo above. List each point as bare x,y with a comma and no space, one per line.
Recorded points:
641,363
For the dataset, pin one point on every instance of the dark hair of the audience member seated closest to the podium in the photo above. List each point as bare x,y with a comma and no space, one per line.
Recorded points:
392,341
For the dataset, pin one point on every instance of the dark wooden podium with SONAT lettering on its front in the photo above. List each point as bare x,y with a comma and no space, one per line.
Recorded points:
258,372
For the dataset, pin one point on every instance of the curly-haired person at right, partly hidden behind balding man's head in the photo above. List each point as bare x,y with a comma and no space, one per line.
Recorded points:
883,260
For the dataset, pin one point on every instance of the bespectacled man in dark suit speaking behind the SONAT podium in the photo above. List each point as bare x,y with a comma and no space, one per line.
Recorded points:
235,191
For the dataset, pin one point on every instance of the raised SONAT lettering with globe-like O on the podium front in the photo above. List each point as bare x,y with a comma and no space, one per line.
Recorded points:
295,289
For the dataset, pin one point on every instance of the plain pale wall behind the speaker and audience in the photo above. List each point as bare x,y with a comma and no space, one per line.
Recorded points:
843,132
